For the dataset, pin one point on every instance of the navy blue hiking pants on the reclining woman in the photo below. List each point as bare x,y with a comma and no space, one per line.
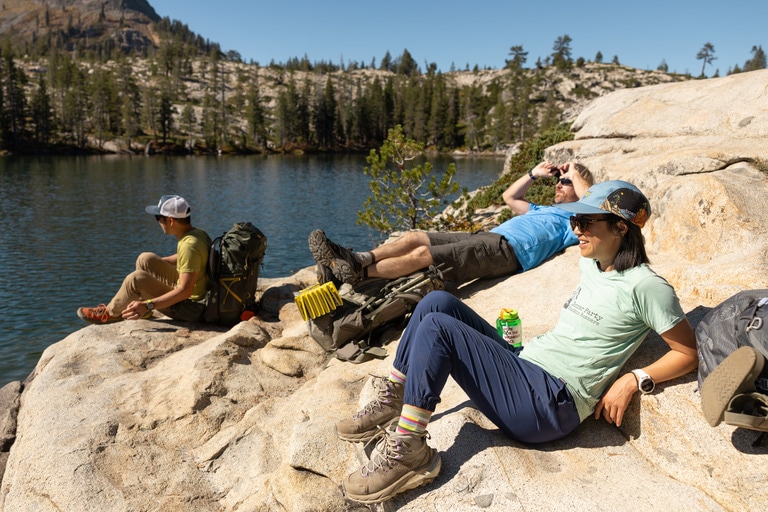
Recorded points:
446,337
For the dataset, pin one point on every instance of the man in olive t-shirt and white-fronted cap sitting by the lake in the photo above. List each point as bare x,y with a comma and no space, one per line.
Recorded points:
174,285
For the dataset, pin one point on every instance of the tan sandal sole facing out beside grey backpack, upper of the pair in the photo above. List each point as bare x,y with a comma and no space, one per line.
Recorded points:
736,374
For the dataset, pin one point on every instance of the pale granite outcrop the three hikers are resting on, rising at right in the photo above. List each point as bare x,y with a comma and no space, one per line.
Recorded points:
164,416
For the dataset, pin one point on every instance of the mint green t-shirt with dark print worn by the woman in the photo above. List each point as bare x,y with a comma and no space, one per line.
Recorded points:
601,326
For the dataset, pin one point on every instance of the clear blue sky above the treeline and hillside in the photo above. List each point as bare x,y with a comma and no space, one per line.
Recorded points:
480,32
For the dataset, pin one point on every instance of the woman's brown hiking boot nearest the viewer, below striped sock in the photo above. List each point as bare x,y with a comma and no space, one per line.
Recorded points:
399,463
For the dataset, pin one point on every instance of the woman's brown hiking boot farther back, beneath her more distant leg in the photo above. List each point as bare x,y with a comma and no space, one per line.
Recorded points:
362,427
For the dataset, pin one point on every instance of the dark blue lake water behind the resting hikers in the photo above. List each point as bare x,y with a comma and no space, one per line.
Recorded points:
73,226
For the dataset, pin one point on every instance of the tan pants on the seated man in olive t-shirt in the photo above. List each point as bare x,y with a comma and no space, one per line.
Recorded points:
152,278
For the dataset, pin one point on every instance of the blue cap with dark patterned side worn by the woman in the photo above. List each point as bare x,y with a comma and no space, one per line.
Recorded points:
615,196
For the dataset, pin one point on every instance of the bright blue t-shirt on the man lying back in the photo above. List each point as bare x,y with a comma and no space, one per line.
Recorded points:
538,234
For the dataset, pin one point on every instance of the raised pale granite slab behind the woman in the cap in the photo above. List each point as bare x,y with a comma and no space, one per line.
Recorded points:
698,149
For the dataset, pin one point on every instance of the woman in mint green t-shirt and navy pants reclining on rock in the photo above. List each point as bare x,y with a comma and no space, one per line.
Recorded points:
542,392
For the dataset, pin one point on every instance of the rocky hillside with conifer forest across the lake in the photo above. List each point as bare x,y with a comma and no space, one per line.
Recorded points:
113,76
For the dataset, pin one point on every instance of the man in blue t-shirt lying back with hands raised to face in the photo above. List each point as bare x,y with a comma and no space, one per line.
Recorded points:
534,234
